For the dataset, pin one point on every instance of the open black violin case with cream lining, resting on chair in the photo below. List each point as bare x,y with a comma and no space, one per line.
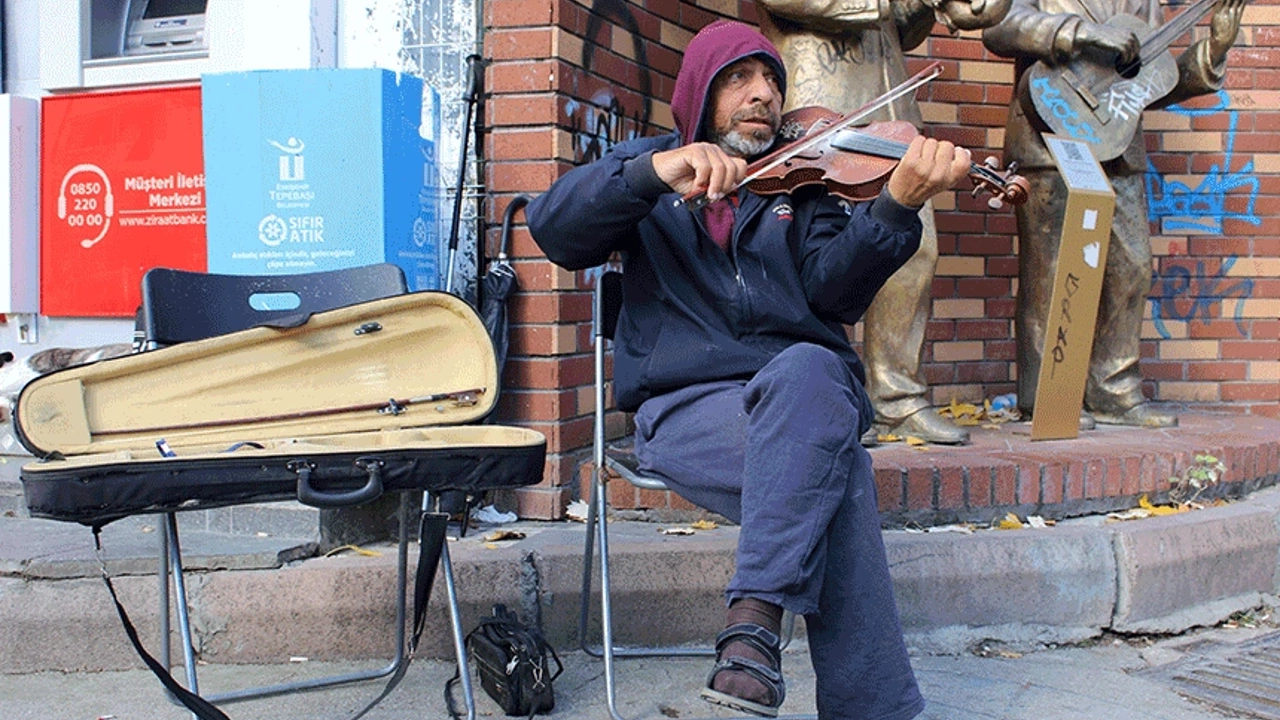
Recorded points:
374,398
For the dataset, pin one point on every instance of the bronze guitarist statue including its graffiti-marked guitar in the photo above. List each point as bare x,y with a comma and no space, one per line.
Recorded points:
1077,56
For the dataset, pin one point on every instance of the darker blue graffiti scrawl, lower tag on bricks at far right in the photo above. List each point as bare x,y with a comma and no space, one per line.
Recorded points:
1199,293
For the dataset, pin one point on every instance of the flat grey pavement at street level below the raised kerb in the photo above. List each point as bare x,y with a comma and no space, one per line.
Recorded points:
1105,681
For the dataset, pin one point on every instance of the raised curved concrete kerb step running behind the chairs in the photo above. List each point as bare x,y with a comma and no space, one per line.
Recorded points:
253,605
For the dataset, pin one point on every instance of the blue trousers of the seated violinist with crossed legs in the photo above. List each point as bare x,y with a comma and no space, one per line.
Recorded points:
781,455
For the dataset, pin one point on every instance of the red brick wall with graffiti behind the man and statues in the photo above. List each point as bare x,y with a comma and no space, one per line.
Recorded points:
568,80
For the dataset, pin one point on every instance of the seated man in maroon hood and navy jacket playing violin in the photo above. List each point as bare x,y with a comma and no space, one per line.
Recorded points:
732,352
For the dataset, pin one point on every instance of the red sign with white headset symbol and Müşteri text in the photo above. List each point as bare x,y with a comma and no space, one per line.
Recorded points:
122,192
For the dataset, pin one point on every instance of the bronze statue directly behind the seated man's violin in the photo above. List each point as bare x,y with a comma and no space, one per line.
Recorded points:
842,56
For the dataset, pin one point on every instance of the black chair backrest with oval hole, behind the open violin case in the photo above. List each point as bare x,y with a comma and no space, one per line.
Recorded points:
182,306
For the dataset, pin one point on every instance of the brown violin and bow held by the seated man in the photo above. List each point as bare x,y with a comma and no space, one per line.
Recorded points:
821,149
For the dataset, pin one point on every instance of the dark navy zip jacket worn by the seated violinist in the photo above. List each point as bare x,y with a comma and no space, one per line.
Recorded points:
799,267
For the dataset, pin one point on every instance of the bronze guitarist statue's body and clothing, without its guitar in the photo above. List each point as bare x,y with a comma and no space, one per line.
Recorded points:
1058,33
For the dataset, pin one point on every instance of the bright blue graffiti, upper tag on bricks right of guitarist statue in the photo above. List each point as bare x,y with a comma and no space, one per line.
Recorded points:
1205,208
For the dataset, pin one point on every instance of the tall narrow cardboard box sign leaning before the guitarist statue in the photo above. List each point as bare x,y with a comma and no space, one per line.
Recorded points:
1082,262
